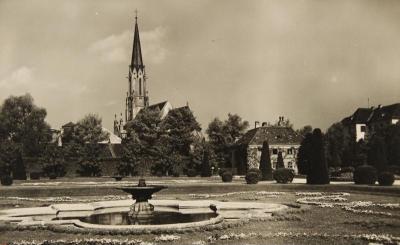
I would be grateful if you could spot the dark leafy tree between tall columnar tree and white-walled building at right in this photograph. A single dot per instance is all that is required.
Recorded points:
(337, 139)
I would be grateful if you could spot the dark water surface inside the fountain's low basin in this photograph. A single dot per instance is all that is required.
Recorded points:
(157, 218)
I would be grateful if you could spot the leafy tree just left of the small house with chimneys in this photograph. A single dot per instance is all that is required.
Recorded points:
(223, 134)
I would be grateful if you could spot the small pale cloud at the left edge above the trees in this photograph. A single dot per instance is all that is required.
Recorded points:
(18, 77)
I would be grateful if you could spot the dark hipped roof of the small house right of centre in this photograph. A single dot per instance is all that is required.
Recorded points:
(272, 134)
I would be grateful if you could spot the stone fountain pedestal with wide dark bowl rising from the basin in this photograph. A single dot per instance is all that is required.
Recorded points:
(141, 211)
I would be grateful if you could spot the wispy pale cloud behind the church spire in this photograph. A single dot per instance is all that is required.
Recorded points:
(118, 48)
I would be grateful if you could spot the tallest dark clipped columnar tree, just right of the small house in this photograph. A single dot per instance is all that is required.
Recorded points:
(318, 169)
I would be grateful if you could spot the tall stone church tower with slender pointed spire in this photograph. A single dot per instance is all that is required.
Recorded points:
(137, 96)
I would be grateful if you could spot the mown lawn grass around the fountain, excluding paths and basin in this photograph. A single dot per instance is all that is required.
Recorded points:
(314, 221)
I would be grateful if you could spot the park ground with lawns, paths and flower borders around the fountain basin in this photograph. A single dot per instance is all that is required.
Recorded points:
(373, 216)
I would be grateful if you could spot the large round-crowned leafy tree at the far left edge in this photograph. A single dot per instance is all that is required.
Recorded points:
(22, 122)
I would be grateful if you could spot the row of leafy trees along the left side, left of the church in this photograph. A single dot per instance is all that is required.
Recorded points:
(24, 133)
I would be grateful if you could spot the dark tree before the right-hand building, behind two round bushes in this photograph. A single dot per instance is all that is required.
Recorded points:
(377, 155)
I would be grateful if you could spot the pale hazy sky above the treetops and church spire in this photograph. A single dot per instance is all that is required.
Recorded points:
(314, 62)
